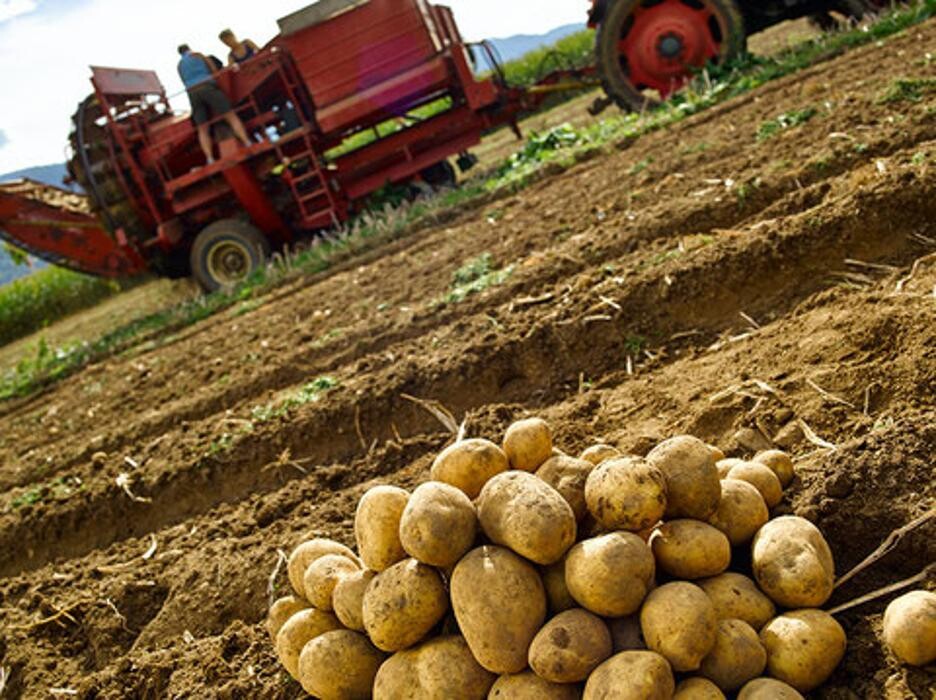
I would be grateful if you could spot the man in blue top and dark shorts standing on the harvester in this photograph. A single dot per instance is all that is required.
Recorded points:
(208, 100)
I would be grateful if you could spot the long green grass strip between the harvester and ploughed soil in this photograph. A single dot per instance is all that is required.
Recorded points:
(563, 149)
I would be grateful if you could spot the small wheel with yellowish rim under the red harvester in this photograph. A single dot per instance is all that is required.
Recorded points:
(226, 253)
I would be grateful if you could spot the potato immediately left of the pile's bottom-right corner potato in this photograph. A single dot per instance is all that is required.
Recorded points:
(737, 657)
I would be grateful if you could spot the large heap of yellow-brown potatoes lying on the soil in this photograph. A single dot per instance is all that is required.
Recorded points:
(522, 572)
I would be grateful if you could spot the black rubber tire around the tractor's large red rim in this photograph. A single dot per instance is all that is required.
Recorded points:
(613, 79)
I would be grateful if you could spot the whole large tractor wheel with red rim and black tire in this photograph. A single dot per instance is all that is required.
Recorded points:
(657, 44)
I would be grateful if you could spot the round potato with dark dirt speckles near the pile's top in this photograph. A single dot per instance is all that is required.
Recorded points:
(626, 494)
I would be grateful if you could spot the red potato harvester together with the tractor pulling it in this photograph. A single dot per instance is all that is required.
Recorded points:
(350, 96)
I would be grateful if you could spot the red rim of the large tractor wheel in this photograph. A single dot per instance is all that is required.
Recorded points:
(663, 41)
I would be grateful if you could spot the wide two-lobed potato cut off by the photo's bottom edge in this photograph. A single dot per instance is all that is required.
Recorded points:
(442, 667)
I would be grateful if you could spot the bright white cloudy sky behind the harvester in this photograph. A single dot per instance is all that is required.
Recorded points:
(46, 47)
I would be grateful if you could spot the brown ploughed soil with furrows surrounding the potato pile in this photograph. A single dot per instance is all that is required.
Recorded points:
(698, 280)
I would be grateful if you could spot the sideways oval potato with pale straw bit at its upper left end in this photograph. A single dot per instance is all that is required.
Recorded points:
(690, 549)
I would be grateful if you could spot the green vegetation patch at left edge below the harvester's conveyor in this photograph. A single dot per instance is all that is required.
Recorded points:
(31, 303)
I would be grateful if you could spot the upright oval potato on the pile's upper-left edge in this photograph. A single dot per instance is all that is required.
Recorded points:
(377, 526)
